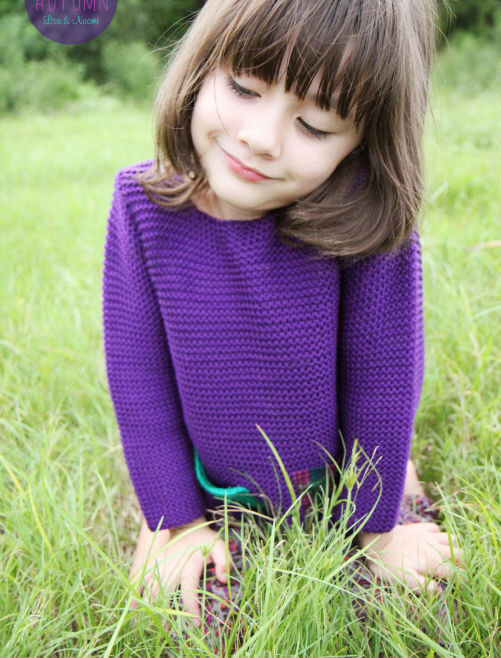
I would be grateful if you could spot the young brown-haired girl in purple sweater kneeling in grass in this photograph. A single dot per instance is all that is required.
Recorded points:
(263, 277)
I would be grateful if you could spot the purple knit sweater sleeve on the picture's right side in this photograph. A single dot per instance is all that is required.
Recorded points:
(381, 363)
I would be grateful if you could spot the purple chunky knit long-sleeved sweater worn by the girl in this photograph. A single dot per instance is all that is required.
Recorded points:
(212, 327)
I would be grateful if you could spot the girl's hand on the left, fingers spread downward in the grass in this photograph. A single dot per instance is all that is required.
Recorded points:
(176, 557)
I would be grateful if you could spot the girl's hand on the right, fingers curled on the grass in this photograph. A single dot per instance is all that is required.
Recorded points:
(412, 553)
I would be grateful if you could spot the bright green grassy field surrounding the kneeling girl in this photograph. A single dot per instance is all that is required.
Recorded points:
(69, 516)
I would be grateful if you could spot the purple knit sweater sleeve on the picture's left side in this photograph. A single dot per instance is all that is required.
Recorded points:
(141, 378)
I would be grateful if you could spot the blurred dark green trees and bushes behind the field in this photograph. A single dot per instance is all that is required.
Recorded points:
(126, 60)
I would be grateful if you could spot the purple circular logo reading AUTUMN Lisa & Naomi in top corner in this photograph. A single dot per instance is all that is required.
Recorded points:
(71, 21)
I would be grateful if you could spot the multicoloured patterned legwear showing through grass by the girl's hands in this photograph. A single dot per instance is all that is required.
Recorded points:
(220, 601)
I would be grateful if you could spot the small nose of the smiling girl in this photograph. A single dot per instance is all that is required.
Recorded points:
(262, 133)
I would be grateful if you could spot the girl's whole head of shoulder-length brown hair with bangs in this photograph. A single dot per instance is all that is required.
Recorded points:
(370, 202)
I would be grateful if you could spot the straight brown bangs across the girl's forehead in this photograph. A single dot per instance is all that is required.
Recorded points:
(297, 36)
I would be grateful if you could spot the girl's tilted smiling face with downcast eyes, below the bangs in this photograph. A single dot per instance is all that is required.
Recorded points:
(241, 124)
